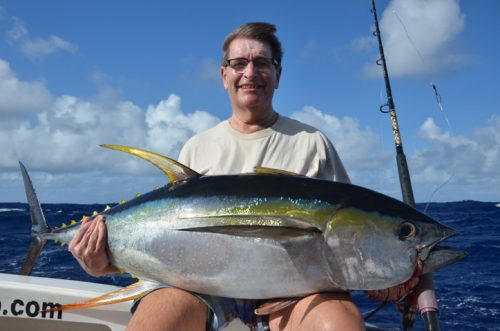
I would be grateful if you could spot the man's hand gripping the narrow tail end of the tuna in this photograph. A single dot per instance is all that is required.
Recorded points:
(89, 247)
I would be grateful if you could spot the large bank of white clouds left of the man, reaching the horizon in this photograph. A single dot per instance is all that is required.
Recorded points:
(58, 139)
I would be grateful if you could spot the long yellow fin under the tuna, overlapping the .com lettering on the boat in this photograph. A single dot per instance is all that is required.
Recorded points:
(131, 292)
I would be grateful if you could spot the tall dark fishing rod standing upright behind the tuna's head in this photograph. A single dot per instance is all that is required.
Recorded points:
(425, 290)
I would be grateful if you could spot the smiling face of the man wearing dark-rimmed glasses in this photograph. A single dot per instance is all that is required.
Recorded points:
(252, 87)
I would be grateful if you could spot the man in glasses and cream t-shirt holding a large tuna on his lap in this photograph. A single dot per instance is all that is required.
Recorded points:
(254, 135)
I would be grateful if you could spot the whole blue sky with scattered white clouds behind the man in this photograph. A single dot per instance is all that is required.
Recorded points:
(77, 74)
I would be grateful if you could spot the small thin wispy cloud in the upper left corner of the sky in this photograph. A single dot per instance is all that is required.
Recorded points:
(37, 49)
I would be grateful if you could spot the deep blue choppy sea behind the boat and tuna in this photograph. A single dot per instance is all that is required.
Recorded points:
(468, 292)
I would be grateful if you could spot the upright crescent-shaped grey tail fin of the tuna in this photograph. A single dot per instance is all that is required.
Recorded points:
(38, 224)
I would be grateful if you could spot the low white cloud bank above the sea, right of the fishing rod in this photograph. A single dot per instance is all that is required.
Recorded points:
(468, 166)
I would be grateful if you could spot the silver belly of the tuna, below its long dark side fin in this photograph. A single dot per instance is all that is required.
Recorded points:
(253, 266)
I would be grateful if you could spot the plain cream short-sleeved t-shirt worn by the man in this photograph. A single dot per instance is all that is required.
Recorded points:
(288, 145)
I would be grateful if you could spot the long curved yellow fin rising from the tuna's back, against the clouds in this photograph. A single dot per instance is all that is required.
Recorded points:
(173, 169)
